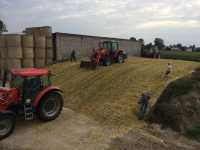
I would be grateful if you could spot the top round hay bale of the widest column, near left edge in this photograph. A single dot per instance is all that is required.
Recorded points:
(13, 40)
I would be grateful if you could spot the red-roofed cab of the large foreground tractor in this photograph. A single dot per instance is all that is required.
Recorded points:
(29, 82)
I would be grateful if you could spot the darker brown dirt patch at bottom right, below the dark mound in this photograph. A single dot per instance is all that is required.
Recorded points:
(153, 138)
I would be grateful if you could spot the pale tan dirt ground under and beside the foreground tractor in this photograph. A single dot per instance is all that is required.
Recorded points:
(71, 131)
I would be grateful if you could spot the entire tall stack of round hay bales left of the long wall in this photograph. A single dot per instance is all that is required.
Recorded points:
(32, 49)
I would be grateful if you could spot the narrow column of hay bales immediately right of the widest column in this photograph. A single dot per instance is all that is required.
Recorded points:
(28, 51)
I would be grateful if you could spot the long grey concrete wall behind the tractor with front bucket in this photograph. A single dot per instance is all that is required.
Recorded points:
(83, 45)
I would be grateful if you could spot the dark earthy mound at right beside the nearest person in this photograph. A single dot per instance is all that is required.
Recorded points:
(178, 107)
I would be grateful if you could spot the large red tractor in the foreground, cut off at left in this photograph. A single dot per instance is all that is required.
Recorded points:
(30, 93)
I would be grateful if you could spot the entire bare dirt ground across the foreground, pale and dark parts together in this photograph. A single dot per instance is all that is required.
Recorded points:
(73, 131)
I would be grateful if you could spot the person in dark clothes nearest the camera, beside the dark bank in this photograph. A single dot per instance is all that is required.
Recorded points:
(144, 103)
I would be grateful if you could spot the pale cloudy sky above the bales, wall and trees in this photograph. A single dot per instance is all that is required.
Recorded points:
(173, 20)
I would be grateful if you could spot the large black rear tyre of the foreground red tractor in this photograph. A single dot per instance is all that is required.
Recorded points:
(50, 106)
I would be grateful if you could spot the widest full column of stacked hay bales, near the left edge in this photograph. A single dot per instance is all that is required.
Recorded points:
(14, 51)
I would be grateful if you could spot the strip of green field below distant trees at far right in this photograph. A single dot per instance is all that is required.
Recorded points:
(190, 56)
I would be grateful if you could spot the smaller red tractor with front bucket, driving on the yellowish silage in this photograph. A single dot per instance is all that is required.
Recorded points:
(107, 53)
